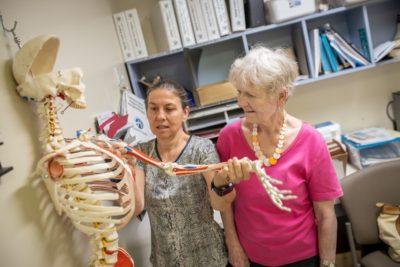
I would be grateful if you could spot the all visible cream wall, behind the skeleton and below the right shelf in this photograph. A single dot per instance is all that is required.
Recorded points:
(31, 233)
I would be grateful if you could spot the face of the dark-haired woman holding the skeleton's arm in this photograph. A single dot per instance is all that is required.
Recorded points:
(165, 113)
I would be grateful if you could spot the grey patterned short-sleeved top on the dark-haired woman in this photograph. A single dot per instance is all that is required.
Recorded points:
(183, 231)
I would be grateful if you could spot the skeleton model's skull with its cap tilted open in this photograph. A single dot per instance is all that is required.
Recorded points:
(33, 71)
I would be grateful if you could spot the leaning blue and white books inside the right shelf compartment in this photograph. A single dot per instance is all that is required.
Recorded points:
(332, 52)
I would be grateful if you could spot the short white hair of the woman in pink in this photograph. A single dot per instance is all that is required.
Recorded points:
(271, 70)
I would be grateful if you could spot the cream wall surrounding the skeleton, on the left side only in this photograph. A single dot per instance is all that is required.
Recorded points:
(31, 233)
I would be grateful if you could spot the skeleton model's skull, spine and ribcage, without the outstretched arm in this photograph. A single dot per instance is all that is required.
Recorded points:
(85, 179)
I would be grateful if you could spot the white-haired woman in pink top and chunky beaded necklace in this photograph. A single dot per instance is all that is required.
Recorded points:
(257, 232)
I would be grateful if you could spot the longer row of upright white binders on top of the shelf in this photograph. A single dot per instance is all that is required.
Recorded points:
(182, 23)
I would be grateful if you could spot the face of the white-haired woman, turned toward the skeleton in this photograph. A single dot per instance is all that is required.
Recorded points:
(257, 105)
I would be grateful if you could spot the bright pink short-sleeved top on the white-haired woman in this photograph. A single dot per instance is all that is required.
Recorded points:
(269, 235)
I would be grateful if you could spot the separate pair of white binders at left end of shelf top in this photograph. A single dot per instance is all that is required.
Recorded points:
(130, 34)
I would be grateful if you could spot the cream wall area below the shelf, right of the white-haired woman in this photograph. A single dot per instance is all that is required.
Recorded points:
(354, 101)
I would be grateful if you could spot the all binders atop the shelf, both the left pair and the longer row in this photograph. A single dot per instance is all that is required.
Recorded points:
(182, 23)
